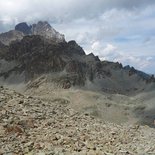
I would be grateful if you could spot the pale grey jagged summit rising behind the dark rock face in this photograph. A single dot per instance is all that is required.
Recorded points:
(41, 28)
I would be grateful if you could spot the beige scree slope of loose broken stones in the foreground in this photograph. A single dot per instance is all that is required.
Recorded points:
(29, 125)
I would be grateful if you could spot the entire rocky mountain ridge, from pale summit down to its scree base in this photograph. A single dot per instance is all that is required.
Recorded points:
(39, 50)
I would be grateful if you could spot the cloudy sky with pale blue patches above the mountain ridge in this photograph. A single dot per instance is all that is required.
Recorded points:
(115, 30)
